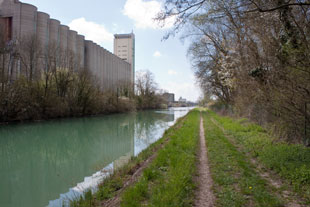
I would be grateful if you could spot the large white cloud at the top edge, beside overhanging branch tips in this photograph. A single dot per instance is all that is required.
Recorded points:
(144, 12)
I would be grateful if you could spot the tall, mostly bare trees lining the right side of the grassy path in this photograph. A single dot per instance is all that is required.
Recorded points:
(252, 56)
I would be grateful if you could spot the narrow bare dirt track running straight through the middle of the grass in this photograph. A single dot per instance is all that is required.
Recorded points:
(204, 196)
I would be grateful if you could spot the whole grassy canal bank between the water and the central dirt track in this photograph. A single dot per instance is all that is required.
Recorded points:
(169, 164)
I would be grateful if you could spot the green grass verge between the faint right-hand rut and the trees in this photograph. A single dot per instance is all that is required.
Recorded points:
(291, 162)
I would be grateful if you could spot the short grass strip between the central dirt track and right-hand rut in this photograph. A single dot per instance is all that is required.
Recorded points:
(235, 181)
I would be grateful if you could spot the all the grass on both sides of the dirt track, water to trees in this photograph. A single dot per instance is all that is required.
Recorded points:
(240, 155)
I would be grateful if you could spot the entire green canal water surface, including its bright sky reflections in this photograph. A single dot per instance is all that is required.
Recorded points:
(47, 163)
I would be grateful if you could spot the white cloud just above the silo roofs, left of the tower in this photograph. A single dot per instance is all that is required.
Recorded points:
(92, 31)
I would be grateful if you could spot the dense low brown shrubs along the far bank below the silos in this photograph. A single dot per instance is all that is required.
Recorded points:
(70, 94)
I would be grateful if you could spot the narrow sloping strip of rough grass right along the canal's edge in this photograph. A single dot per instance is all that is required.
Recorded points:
(111, 185)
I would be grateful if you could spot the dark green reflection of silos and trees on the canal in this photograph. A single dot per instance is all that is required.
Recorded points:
(52, 156)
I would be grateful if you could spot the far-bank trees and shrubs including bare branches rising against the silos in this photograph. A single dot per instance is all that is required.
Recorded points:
(42, 82)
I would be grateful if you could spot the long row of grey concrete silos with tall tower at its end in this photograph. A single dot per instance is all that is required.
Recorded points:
(20, 21)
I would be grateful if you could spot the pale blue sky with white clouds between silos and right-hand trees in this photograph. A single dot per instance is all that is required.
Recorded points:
(98, 20)
